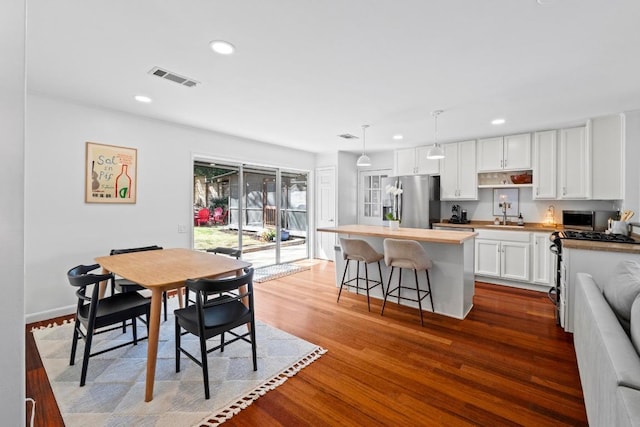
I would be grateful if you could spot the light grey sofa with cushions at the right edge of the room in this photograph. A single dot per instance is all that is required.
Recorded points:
(608, 358)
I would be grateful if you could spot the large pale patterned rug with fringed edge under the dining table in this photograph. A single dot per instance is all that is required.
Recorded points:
(114, 392)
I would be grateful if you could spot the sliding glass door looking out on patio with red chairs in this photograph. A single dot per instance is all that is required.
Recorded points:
(261, 211)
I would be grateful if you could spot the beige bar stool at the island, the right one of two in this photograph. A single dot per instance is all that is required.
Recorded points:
(407, 254)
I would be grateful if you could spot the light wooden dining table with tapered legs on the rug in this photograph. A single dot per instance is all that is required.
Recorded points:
(164, 270)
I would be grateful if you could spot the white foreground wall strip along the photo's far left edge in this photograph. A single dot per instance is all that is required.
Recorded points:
(12, 84)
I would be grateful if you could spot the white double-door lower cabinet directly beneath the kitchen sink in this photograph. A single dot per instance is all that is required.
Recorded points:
(503, 254)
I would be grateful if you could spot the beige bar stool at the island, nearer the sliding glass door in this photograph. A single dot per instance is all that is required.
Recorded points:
(360, 251)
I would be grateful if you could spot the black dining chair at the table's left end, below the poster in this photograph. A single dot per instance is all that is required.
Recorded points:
(94, 313)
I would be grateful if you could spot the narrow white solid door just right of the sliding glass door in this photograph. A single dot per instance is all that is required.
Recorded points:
(326, 211)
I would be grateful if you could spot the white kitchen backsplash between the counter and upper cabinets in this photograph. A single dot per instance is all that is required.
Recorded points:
(532, 210)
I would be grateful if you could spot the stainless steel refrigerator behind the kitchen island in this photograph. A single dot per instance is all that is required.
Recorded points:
(419, 204)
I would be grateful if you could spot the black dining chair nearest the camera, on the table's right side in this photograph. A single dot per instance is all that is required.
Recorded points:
(211, 317)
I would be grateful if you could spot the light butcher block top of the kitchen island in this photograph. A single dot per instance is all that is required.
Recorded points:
(419, 234)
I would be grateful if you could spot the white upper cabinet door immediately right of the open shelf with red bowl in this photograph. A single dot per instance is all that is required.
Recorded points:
(544, 164)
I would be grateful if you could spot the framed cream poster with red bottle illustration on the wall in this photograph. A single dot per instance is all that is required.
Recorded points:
(110, 174)
